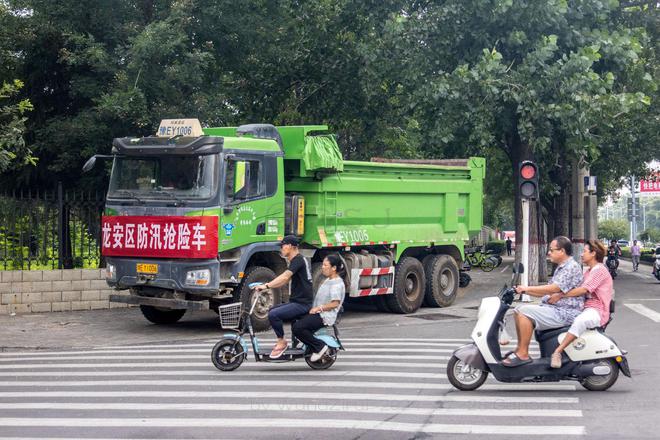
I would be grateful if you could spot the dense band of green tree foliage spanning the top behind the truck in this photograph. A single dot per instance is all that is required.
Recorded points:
(564, 82)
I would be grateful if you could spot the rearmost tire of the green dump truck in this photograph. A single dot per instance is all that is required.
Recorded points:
(441, 280)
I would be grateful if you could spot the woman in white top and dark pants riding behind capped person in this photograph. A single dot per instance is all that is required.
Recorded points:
(327, 303)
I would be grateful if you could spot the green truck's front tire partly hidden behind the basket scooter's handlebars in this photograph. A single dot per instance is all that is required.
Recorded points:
(258, 274)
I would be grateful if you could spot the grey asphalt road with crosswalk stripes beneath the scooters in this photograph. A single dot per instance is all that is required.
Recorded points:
(109, 374)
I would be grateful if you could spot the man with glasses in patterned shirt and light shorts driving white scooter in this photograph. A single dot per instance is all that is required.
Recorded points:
(567, 276)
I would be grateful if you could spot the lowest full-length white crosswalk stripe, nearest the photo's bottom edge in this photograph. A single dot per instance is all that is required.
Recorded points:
(251, 423)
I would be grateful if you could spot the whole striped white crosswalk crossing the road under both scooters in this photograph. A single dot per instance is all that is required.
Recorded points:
(381, 385)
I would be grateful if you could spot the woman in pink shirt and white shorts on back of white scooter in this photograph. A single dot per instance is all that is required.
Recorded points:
(597, 285)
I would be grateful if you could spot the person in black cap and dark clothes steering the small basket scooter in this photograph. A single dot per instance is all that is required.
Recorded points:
(301, 298)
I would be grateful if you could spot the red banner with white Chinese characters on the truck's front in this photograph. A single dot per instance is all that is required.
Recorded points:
(164, 237)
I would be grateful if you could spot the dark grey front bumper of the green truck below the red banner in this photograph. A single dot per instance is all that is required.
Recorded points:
(170, 274)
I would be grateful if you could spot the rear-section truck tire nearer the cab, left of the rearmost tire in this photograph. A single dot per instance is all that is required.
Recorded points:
(409, 286)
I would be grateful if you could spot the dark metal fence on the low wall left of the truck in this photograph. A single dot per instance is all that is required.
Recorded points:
(50, 230)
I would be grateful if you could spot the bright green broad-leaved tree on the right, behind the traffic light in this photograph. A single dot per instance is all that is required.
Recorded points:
(551, 81)
